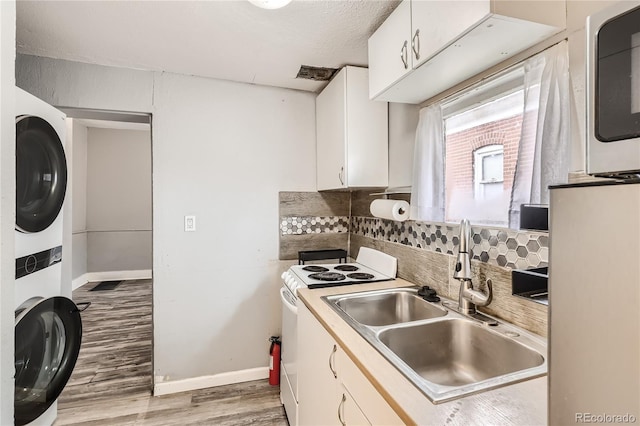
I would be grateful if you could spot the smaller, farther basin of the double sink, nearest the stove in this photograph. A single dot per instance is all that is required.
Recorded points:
(388, 307)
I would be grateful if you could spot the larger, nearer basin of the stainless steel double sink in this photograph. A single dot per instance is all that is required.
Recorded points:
(458, 352)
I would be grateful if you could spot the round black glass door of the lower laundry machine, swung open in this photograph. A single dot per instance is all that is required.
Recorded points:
(47, 336)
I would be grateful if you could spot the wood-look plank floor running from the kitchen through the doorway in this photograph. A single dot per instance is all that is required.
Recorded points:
(111, 383)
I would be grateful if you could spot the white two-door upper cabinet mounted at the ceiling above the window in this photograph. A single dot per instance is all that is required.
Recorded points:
(451, 41)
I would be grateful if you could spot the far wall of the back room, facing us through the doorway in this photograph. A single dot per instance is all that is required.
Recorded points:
(118, 200)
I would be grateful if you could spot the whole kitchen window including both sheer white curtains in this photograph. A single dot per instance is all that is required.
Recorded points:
(484, 152)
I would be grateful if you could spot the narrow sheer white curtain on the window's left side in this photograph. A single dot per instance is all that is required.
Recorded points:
(427, 191)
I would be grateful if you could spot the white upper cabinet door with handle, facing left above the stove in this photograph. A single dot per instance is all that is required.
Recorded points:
(331, 134)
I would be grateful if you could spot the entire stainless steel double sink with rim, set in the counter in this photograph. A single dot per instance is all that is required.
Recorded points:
(443, 353)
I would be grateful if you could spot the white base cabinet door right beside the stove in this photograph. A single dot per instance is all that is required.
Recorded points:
(318, 395)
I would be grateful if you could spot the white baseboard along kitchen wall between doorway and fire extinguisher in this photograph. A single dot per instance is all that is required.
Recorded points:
(202, 382)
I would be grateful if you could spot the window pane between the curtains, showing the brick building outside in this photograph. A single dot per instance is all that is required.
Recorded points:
(482, 140)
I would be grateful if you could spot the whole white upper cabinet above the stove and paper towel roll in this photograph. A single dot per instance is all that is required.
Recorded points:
(352, 134)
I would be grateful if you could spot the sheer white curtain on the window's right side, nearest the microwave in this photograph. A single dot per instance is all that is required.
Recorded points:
(546, 124)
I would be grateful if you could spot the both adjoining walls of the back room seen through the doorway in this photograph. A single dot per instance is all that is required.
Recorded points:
(110, 173)
